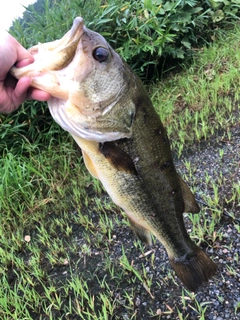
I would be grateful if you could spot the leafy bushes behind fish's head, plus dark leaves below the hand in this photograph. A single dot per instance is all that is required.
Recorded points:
(143, 32)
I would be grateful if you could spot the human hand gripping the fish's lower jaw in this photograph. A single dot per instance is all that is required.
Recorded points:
(13, 92)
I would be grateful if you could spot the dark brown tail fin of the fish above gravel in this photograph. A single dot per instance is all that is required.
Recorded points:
(194, 270)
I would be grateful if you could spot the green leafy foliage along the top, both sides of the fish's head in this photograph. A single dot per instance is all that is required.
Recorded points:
(142, 32)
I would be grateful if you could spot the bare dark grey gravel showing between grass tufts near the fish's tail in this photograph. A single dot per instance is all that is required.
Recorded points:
(221, 295)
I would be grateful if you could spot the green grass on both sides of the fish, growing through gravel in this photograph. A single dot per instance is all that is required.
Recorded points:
(66, 252)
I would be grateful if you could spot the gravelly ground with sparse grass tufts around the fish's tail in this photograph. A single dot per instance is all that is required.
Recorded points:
(138, 280)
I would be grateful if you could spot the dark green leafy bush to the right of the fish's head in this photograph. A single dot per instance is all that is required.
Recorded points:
(144, 32)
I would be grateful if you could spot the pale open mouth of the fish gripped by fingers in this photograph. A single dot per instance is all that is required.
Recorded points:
(50, 59)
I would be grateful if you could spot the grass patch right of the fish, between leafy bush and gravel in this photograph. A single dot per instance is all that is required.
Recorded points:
(195, 103)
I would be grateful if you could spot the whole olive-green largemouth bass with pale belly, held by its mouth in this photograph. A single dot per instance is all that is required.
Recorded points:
(103, 104)
